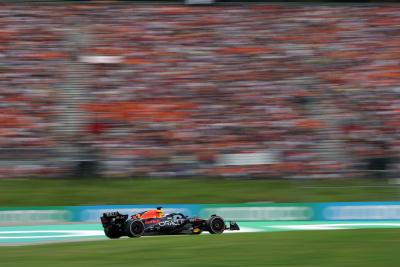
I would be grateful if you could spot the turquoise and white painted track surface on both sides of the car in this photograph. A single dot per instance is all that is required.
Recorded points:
(38, 234)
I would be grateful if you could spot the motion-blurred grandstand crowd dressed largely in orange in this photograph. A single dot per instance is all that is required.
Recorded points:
(232, 90)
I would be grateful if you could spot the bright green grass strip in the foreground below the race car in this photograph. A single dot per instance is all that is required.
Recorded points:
(364, 248)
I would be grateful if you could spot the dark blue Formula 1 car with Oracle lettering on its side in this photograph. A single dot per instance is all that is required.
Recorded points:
(116, 225)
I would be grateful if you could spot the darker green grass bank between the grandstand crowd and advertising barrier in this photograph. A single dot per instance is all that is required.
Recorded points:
(165, 191)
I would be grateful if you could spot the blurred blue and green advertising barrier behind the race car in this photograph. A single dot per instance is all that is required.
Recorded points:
(335, 211)
